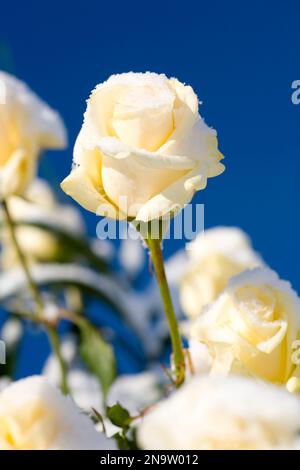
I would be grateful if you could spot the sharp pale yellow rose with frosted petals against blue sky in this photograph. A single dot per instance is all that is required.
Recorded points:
(143, 149)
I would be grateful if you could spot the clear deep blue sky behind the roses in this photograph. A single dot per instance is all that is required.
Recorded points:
(240, 57)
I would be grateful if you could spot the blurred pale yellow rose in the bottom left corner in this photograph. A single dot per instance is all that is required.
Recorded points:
(36, 416)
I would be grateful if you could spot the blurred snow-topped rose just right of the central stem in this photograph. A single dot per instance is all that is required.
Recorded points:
(213, 258)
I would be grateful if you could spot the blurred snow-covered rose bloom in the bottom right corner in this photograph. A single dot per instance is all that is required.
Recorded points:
(232, 413)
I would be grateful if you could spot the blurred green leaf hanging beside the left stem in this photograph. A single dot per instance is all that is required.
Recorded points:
(97, 355)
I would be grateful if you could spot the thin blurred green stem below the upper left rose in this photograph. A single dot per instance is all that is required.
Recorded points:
(36, 295)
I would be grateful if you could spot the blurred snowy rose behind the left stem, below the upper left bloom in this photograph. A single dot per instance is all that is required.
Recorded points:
(38, 205)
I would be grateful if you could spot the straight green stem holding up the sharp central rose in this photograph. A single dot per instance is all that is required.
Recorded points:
(178, 352)
